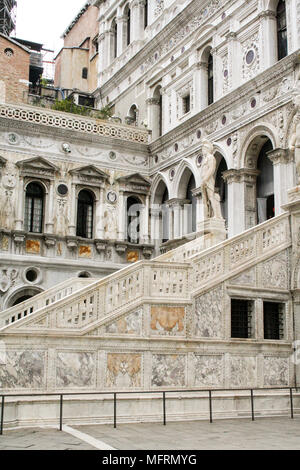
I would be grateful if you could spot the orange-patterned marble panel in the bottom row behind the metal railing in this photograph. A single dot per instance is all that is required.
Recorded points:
(123, 370)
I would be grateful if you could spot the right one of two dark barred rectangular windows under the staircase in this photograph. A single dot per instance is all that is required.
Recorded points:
(273, 320)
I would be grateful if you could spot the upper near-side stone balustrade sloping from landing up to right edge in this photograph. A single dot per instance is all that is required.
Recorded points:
(227, 258)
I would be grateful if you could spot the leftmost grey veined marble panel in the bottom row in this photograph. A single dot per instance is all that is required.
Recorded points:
(23, 369)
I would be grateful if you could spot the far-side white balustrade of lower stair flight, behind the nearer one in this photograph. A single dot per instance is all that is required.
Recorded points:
(58, 292)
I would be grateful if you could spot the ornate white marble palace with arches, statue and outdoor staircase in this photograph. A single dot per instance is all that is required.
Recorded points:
(194, 175)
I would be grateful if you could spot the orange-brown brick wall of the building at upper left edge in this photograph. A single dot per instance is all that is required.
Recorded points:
(13, 68)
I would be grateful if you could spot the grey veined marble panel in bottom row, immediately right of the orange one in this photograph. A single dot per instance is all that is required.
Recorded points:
(168, 370)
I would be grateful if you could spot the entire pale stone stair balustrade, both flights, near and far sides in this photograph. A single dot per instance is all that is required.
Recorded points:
(81, 305)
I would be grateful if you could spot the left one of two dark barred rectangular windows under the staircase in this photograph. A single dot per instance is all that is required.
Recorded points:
(241, 318)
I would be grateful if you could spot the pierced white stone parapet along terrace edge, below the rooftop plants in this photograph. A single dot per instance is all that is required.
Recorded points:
(73, 122)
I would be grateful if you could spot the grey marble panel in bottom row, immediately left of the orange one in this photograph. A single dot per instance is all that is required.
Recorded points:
(75, 369)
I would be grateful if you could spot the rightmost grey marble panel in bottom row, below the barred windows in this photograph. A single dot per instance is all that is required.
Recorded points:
(276, 371)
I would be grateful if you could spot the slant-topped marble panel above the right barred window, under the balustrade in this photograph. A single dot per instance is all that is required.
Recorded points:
(275, 272)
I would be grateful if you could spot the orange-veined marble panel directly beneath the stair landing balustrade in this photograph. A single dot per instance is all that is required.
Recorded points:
(167, 320)
